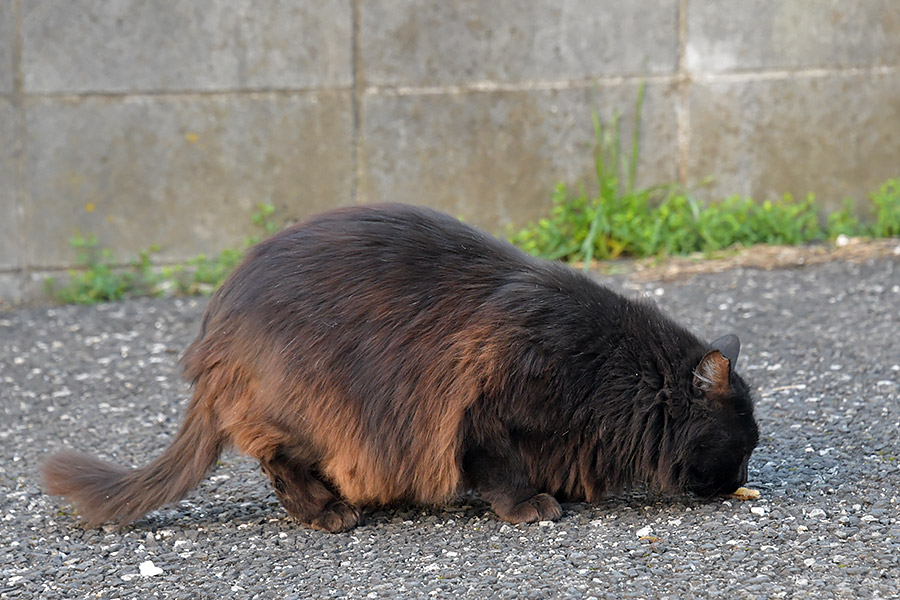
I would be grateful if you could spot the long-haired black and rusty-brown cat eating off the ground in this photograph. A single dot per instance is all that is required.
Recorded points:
(390, 353)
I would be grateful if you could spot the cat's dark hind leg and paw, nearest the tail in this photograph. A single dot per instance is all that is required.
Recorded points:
(306, 497)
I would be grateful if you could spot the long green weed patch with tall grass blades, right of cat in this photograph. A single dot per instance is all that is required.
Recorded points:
(623, 219)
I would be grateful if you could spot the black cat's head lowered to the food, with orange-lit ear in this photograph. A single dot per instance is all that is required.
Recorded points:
(719, 432)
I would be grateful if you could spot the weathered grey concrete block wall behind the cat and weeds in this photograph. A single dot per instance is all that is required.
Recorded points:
(168, 122)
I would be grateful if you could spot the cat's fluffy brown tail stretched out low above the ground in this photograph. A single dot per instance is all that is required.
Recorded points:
(103, 492)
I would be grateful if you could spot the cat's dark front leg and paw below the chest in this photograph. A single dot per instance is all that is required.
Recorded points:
(497, 471)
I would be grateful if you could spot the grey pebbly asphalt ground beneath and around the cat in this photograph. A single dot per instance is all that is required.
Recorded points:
(820, 346)
